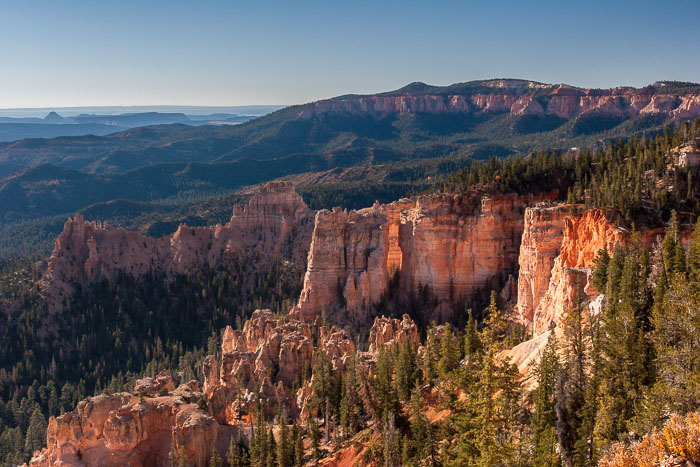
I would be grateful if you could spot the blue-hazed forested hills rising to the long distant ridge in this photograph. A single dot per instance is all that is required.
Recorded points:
(188, 160)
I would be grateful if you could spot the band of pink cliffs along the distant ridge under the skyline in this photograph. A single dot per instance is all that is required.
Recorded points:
(521, 98)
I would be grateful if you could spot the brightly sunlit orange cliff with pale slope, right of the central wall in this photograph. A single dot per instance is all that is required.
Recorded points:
(556, 260)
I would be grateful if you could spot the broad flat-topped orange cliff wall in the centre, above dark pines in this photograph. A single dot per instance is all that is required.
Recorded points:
(453, 244)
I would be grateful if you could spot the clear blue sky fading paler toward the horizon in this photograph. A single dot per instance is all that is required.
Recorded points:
(69, 53)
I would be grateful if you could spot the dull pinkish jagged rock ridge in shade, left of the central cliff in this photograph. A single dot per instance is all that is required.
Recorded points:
(275, 224)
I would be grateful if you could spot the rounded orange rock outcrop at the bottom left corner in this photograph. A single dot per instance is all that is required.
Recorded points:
(123, 429)
